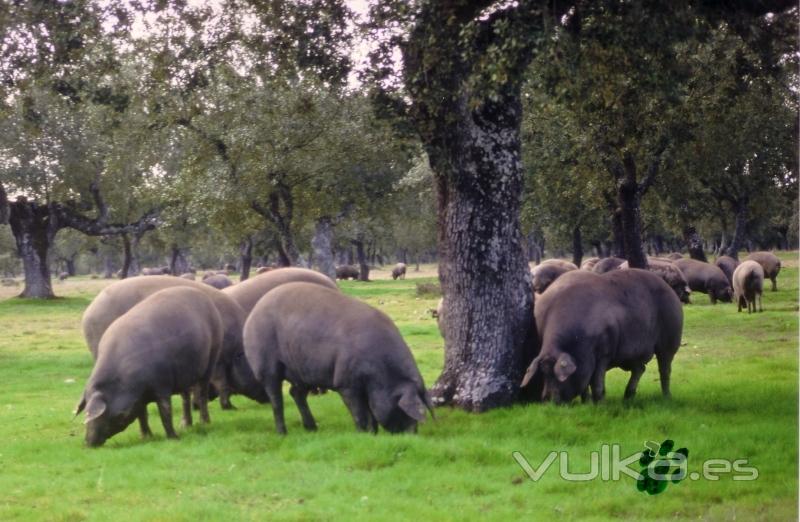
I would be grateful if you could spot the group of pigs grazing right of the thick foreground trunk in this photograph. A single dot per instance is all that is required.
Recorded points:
(605, 315)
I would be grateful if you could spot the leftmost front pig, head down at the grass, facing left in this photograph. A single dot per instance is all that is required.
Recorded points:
(166, 344)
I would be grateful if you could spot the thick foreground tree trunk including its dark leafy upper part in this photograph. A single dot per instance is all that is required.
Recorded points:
(472, 137)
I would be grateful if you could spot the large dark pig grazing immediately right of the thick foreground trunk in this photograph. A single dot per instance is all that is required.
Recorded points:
(589, 323)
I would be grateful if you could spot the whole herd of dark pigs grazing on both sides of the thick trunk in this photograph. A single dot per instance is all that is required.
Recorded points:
(156, 336)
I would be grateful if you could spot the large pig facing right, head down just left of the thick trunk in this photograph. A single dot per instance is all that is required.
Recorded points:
(316, 337)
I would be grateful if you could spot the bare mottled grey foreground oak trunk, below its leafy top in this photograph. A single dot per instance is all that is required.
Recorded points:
(483, 269)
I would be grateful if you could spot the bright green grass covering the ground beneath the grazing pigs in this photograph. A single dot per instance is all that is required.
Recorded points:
(735, 387)
